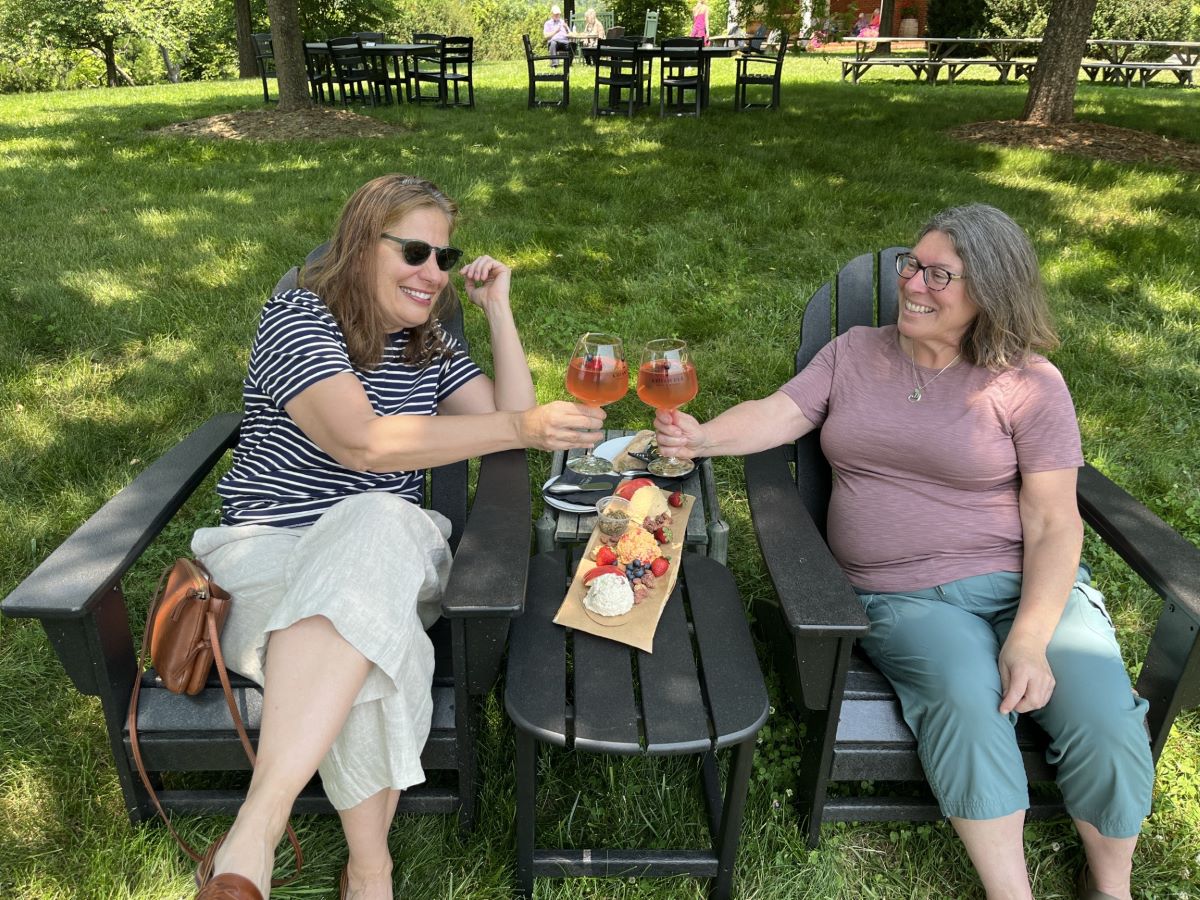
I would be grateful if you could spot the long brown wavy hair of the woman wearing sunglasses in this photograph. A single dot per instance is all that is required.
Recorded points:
(346, 274)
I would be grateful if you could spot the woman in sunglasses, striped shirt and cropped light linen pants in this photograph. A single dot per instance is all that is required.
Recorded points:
(355, 389)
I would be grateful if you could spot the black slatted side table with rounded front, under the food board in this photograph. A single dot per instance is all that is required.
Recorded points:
(700, 692)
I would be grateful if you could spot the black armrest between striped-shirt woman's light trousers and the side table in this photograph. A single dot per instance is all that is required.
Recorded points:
(491, 567)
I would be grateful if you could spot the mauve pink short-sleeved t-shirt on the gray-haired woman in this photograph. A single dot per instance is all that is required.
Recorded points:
(926, 494)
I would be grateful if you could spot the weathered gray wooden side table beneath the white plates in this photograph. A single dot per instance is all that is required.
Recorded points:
(707, 533)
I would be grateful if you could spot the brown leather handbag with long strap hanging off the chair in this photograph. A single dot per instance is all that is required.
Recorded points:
(183, 640)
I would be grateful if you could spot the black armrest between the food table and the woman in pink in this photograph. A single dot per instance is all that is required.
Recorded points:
(814, 593)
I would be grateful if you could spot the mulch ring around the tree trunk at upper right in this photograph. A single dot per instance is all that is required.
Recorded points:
(1089, 140)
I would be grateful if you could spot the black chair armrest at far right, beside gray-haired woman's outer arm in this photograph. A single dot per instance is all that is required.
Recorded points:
(1166, 561)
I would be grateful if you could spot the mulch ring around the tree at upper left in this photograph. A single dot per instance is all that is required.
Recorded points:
(315, 124)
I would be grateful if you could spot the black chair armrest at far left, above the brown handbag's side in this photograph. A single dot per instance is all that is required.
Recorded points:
(95, 557)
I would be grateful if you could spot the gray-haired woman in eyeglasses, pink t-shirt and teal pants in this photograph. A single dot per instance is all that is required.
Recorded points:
(955, 447)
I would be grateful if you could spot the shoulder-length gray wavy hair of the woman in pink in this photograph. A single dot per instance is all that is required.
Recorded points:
(1004, 280)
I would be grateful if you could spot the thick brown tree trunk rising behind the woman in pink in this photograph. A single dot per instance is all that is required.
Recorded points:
(1052, 98)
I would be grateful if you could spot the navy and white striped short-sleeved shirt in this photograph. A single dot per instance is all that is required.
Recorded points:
(279, 476)
